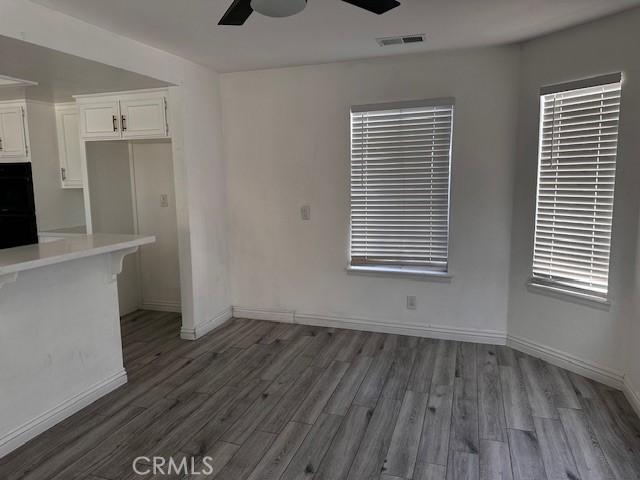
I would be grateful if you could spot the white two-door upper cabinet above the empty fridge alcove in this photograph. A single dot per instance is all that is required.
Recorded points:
(132, 115)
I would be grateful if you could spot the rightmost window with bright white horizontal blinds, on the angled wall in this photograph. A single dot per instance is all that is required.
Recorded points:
(576, 178)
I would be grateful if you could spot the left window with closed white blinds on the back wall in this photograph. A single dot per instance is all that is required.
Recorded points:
(400, 169)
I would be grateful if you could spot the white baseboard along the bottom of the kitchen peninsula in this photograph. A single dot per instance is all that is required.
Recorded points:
(33, 428)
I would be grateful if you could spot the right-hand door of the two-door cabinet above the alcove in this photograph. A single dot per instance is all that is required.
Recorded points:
(143, 117)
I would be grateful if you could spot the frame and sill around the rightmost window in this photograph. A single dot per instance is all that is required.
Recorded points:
(549, 286)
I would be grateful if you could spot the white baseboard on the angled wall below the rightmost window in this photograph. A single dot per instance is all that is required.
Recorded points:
(569, 362)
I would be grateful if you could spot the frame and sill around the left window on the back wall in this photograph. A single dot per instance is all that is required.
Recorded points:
(414, 271)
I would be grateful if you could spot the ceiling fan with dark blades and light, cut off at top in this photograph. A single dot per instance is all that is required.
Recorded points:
(240, 10)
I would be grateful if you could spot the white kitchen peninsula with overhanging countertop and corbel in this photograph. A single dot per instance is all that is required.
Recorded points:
(60, 345)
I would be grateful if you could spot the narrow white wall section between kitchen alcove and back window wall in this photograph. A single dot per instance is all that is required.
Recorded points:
(205, 196)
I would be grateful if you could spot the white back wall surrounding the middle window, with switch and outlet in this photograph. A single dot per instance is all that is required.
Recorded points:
(287, 145)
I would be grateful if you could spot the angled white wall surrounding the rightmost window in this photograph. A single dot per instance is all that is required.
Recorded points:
(593, 335)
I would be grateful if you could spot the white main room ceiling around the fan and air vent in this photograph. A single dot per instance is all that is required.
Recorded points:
(328, 30)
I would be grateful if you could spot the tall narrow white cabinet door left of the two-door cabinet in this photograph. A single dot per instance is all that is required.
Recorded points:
(68, 125)
